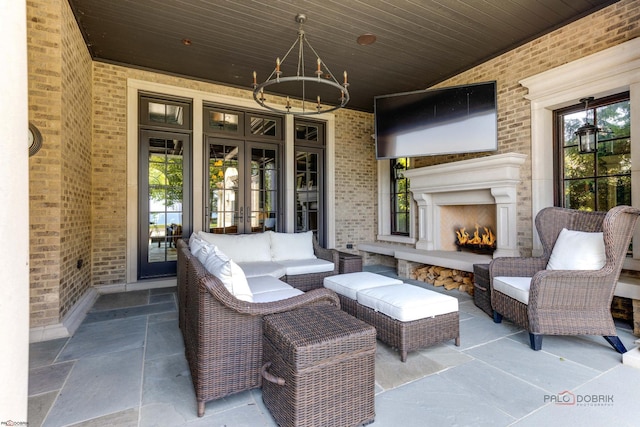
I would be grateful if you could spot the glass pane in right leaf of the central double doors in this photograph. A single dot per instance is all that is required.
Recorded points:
(263, 193)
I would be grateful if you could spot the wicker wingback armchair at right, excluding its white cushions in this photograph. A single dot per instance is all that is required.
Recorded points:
(567, 302)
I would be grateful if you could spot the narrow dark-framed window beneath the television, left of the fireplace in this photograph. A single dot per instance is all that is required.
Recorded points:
(400, 197)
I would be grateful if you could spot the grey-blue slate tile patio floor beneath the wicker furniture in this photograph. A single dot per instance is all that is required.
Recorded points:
(125, 366)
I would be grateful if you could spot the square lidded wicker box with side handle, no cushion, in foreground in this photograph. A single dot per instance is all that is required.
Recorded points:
(319, 368)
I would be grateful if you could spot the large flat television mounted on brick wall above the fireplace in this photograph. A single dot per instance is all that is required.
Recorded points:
(459, 119)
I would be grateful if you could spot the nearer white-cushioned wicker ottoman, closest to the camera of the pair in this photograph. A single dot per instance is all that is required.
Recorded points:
(409, 317)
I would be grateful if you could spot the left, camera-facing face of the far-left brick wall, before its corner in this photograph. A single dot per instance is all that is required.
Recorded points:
(43, 29)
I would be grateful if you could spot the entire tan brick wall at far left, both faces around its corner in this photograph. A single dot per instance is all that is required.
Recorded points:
(59, 177)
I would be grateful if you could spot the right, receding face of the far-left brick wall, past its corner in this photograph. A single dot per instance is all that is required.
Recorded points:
(75, 207)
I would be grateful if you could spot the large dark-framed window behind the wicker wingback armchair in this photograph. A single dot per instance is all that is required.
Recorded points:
(601, 180)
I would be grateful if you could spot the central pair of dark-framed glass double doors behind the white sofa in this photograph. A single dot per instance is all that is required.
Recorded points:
(243, 182)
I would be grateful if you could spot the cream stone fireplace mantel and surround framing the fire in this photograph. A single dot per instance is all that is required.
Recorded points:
(484, 180)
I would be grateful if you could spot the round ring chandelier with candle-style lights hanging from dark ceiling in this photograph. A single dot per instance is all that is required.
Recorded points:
(323, 77)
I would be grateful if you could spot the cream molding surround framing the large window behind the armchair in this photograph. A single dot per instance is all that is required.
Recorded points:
(605, 73)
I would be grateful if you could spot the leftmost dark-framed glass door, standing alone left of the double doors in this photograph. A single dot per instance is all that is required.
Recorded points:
(164, 200)
